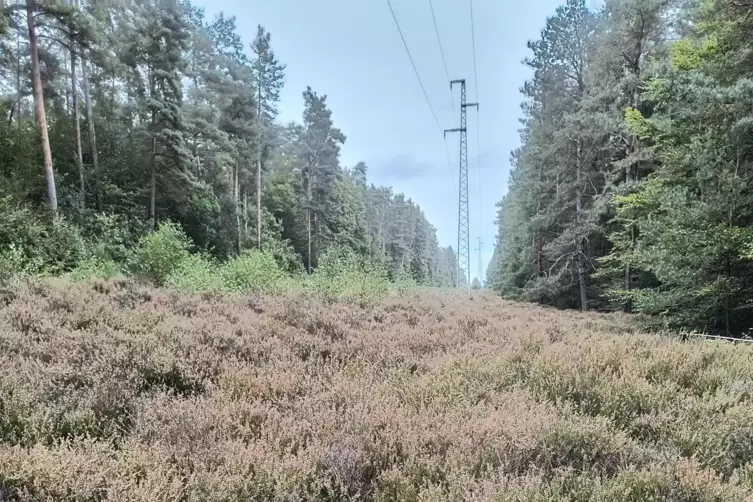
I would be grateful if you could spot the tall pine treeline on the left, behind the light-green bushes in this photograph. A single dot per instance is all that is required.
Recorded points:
(120, 115)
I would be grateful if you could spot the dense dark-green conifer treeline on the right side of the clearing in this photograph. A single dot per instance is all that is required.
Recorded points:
(632, 187)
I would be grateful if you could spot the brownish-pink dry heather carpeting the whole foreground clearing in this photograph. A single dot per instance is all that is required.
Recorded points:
(115, 391)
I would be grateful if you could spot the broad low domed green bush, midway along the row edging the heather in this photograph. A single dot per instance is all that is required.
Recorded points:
(253, 272)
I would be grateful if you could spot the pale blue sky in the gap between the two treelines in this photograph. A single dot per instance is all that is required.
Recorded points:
(351, 51)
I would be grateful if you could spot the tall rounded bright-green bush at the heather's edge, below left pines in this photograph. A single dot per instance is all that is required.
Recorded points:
(159, 254)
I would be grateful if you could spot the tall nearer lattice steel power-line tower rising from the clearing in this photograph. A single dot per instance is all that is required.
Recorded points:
(464, 261)
